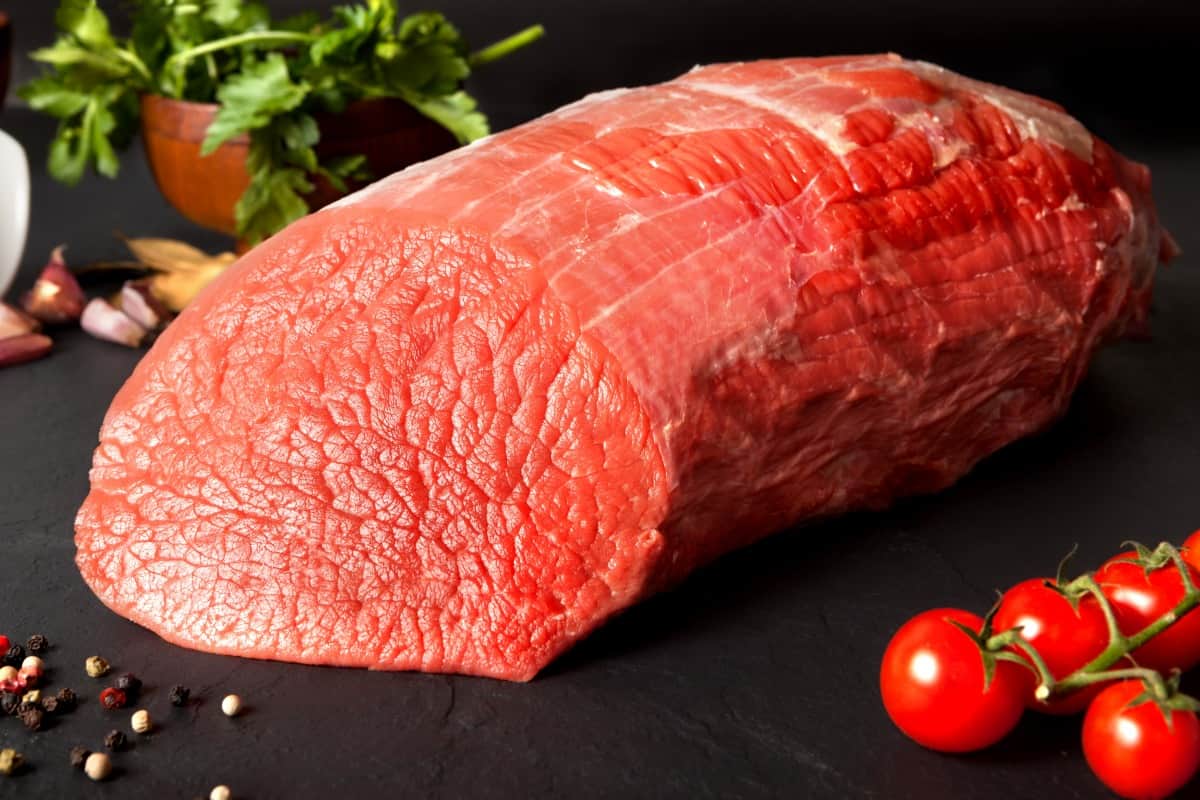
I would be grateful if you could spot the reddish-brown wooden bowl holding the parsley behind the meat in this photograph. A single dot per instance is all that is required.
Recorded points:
(205, 189)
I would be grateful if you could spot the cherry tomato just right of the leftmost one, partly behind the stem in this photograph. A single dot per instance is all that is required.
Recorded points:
(1065, 637)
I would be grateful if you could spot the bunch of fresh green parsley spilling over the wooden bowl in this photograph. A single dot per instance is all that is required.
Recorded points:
(268, 79)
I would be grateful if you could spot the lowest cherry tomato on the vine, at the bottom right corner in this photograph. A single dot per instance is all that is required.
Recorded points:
(1133, 750)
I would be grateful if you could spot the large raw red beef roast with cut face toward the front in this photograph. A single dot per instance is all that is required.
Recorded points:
(458, 420)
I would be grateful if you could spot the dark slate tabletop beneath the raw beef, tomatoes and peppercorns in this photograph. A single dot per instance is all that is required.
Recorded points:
(757, 678)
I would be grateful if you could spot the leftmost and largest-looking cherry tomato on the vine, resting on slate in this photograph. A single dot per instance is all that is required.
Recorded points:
(933, 685)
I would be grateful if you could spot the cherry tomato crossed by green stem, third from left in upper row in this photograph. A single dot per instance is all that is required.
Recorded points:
(1141, 599)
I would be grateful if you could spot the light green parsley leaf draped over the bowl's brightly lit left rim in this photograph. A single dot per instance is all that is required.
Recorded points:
(251, 99)
